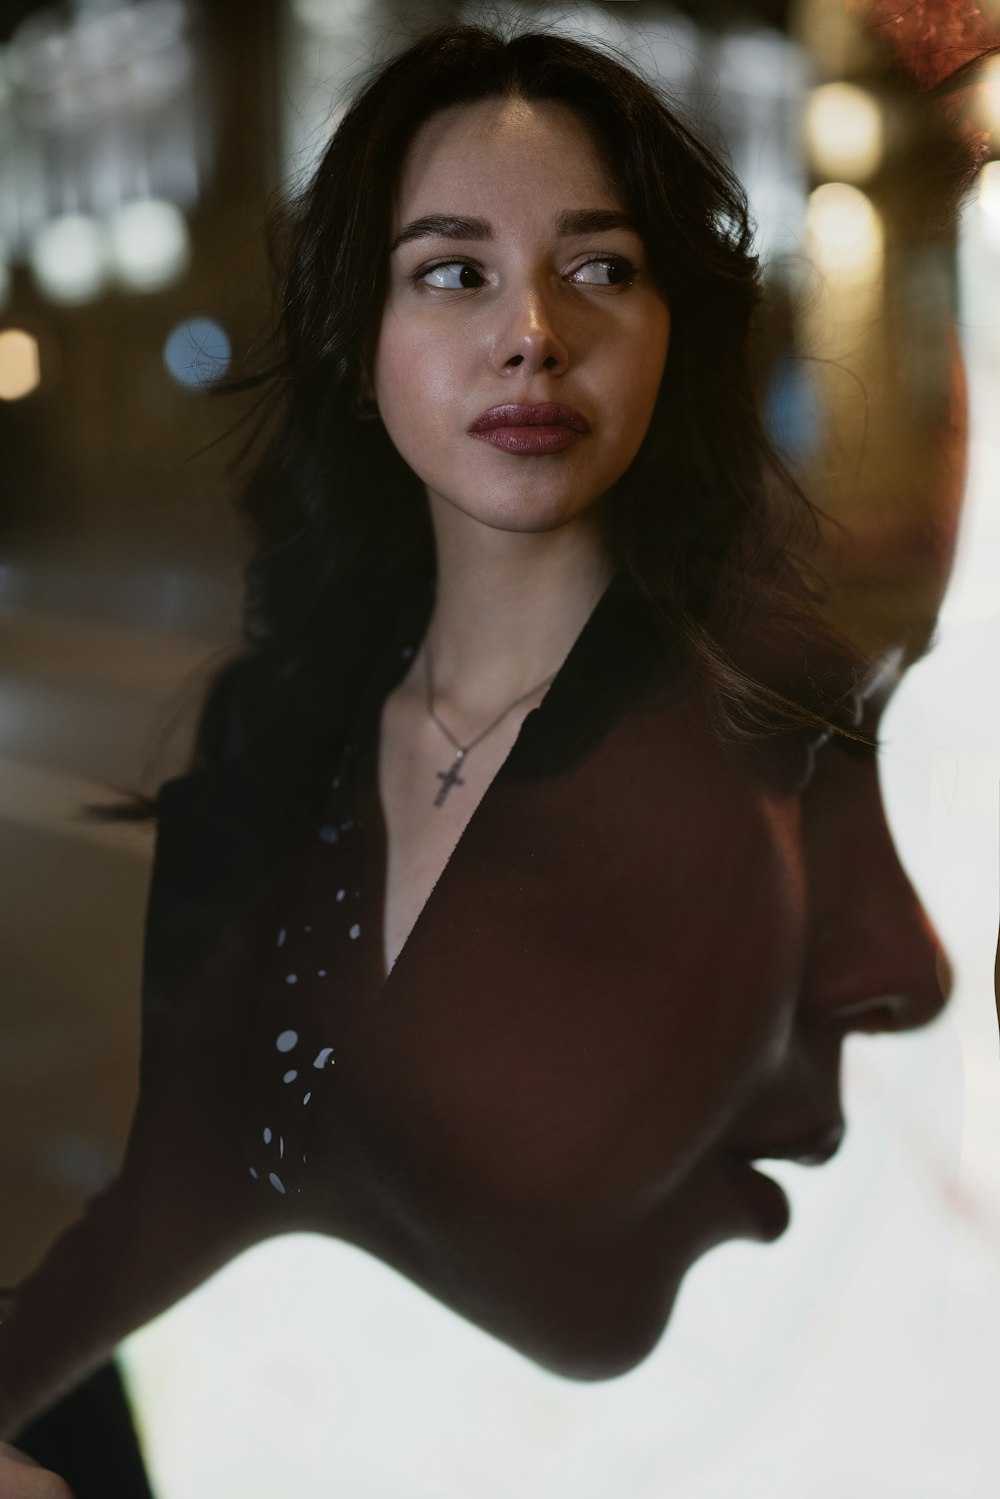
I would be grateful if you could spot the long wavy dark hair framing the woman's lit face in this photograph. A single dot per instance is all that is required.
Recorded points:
(705, 521)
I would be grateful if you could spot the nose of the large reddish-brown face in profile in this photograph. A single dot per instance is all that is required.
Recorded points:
(875, 962)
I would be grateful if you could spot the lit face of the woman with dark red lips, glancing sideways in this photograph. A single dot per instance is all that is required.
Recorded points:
(516, 281)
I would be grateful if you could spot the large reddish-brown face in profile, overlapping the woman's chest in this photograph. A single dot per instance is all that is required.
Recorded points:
(548, 1141)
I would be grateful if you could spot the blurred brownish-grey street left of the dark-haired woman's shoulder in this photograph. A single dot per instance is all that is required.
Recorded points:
(86, 699)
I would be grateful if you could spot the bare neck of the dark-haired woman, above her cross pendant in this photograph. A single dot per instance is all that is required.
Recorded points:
(509, 606)
